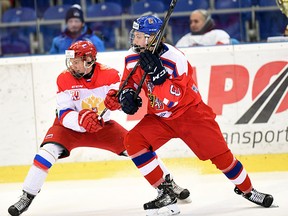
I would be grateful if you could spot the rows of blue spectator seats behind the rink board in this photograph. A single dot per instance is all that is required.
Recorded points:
(30, 26)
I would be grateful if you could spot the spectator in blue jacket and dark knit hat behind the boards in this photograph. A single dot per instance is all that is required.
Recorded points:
(76, 30)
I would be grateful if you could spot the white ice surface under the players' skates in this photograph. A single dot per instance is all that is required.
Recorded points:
(211, 195)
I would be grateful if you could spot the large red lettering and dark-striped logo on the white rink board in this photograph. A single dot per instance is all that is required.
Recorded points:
(270, 83)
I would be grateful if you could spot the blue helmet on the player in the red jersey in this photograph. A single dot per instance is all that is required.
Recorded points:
(147, 24)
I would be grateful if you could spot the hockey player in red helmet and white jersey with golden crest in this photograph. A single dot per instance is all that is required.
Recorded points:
(82, 89)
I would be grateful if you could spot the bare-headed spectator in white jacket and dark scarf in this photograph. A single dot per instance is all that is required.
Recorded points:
(203, 31)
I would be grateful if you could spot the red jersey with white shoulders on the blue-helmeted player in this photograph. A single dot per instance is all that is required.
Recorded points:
(176, 94)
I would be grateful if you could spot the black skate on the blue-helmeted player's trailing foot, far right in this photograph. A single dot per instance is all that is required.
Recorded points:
(256, 197)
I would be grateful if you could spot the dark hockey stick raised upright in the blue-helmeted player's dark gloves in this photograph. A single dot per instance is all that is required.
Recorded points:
(159, 36)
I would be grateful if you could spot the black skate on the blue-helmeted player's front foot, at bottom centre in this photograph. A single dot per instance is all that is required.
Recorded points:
(166, 198)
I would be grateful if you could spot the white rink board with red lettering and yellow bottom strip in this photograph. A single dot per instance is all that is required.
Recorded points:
(231, 84)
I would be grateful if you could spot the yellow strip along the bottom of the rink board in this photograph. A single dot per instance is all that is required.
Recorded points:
(125, 168)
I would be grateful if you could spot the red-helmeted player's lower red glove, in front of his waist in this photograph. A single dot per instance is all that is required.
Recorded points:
(89, 121)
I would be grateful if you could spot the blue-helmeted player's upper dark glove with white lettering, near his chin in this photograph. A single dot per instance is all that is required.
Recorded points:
(152, 65)
